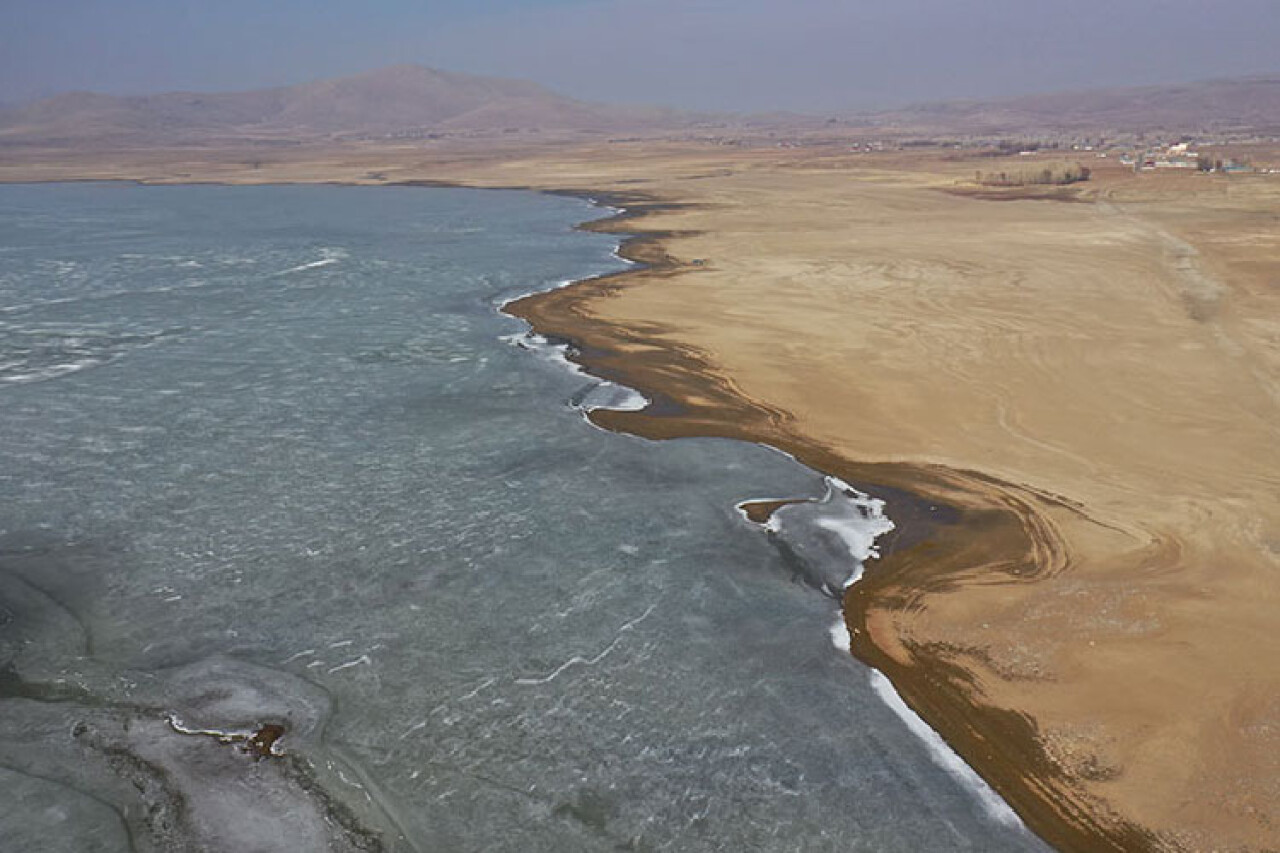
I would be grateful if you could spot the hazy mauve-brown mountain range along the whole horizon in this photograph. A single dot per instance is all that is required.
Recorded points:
(413, 101)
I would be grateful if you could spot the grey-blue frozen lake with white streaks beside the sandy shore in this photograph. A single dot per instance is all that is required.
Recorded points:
(272, 455)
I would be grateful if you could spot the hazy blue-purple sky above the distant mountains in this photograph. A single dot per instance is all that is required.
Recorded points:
(715, 54)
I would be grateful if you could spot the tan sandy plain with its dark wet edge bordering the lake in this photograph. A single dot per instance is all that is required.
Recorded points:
(1073, 410)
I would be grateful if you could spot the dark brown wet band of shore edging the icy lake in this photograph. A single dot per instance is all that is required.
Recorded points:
(950, 526)
